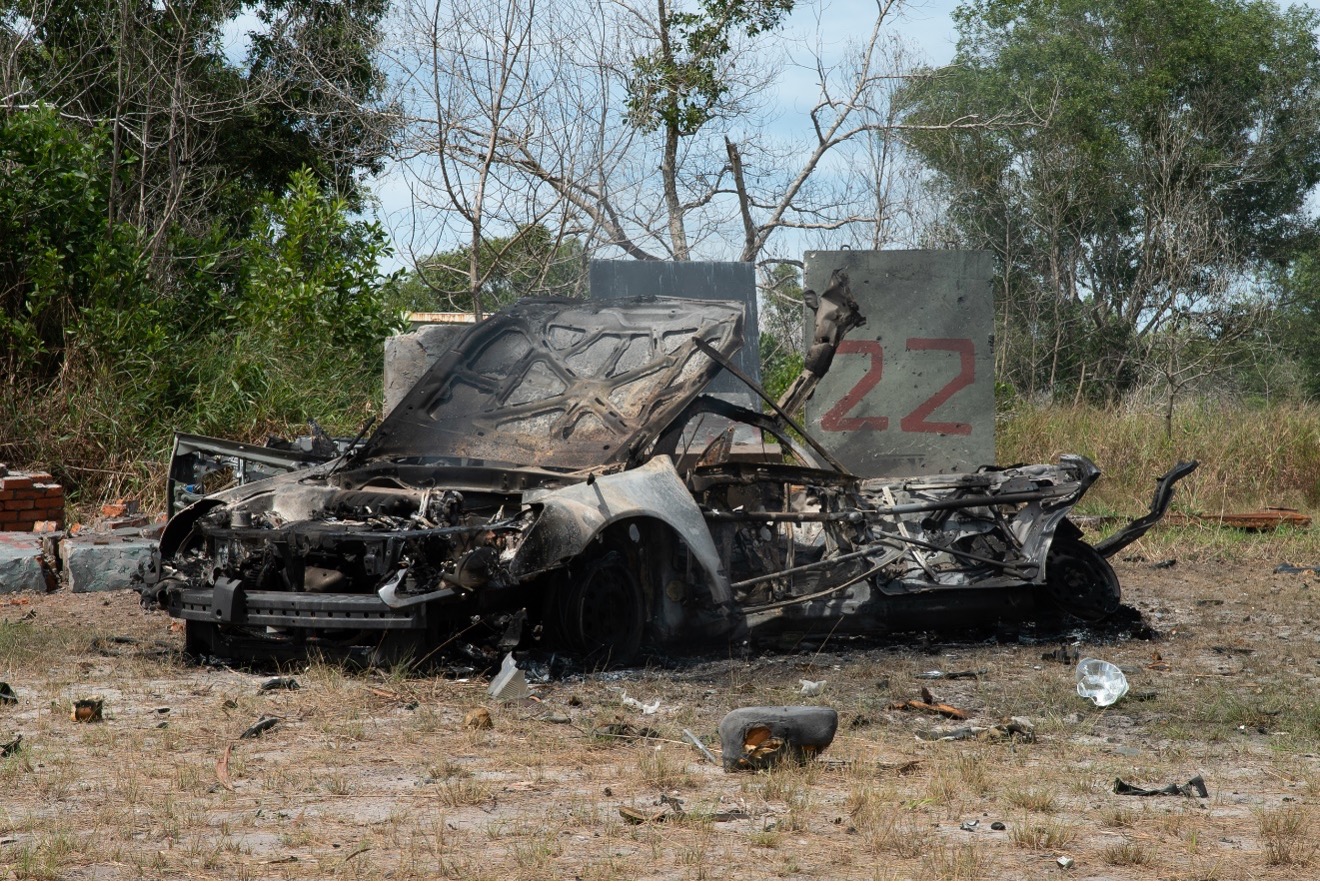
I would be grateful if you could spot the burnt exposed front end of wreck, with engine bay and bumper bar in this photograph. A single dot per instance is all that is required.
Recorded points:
(366, 559)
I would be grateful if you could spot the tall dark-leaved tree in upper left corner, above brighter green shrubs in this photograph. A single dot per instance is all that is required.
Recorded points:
(197, 137)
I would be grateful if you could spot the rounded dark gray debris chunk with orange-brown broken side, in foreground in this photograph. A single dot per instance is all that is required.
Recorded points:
(760, 737)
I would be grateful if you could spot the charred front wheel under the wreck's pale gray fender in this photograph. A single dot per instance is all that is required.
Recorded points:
(603, 613)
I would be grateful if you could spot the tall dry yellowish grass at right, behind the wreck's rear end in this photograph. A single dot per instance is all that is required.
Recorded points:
(1251, 458)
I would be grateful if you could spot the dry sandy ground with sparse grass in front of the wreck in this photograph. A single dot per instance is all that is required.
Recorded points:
(376, 776)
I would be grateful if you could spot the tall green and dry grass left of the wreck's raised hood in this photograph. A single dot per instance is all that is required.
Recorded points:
(106, 432)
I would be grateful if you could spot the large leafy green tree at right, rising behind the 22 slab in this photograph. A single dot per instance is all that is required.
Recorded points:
(1160, 151)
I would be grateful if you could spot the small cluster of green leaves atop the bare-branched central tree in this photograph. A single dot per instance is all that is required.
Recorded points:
(679, 85)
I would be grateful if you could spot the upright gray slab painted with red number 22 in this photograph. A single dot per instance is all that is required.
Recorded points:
(913, 392)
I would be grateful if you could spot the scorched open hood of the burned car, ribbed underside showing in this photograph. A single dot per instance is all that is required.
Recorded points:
(562, 384)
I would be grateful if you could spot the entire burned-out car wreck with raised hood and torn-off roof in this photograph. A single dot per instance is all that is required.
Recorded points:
(563, 477)
